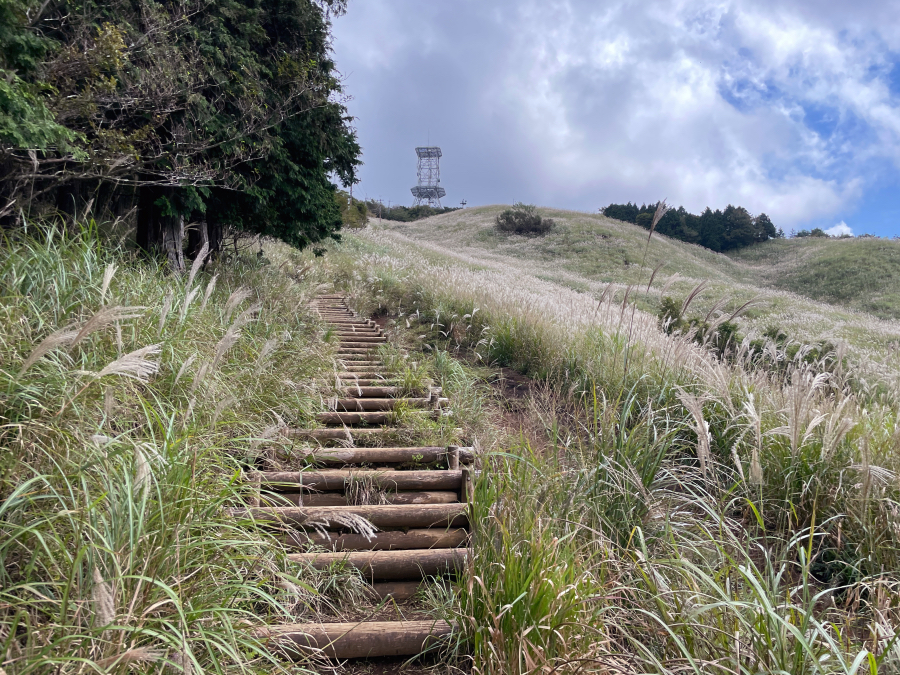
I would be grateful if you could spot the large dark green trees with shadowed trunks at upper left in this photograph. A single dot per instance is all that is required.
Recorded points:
(223, 113)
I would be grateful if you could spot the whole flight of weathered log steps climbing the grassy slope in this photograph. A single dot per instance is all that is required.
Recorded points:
(421, 514)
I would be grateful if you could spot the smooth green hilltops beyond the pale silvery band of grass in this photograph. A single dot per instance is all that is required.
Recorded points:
(861, 274)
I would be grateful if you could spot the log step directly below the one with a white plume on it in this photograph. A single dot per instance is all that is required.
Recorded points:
(381, 541)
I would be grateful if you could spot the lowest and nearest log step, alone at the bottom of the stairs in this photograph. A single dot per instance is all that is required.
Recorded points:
(357, 640)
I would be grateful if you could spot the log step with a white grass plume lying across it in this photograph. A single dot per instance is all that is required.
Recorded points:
(381, 516)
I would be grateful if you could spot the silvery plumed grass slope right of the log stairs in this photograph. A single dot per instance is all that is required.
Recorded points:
(651, 507)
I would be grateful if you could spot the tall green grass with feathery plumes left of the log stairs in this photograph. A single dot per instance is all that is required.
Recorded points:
(129, 410)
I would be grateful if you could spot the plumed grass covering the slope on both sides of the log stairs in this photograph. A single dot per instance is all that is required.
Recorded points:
(644, 506)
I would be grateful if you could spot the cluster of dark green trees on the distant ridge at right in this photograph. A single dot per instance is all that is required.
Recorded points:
(718, 230)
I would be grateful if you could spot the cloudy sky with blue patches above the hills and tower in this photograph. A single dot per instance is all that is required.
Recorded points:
(786, 108)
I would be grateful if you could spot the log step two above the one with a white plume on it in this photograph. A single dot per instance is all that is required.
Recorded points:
(331, 480)
